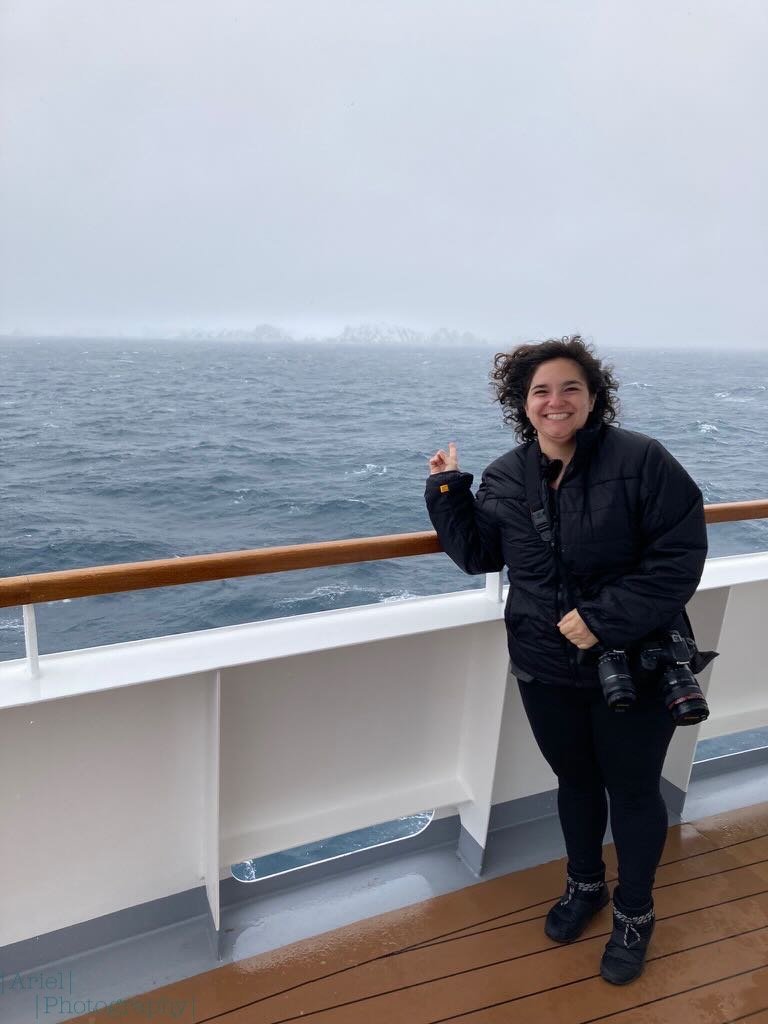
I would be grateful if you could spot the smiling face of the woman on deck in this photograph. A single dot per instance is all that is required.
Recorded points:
(559, 404)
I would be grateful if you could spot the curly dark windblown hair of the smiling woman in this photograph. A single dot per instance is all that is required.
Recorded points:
(514, 372)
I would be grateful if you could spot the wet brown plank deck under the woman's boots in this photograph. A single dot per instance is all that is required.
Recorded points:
(481, 956)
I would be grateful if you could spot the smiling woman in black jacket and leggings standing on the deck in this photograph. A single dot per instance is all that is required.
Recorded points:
(620, 553)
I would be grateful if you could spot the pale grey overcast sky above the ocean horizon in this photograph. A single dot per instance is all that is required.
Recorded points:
(516, 169)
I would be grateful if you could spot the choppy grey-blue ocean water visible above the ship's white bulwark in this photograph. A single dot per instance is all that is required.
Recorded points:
(116, 452)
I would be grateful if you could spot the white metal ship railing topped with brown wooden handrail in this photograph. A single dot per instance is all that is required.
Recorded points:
(135, 772)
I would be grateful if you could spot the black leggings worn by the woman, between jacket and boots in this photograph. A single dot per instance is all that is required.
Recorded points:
(592, 749)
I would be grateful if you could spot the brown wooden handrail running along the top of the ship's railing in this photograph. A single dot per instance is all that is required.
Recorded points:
(230, 565)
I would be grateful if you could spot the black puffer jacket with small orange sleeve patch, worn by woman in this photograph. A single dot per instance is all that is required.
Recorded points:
(630, 529)
